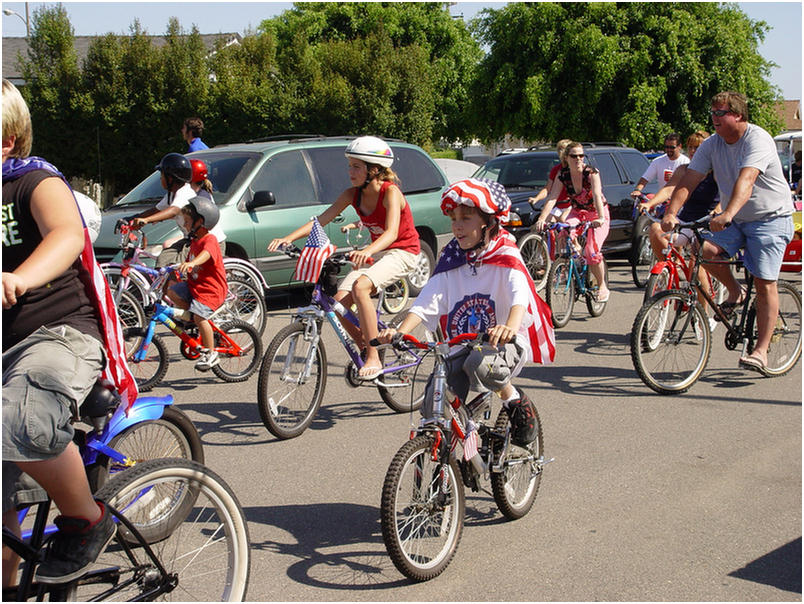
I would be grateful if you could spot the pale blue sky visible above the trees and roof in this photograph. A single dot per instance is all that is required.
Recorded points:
(782, 44)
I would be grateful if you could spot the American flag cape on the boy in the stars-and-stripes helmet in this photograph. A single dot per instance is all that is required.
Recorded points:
(502, 251)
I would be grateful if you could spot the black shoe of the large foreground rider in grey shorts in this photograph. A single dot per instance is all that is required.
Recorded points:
(73, 549)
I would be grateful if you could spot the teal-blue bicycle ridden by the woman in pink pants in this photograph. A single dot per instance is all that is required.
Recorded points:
(570, 278)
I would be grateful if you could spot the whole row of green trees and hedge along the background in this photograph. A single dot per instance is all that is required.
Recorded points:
(590, 71)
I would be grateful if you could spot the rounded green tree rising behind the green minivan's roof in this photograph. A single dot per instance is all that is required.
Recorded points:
(430, 55)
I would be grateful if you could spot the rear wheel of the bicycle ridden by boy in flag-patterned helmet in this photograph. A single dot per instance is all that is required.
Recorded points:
(516, 487)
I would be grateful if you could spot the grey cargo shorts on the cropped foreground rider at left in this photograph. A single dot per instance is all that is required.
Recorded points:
(45, 377)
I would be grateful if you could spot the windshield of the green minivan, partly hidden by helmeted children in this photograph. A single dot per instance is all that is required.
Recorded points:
(226, 171)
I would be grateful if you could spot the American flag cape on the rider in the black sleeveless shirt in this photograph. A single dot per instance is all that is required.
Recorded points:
(116, 370)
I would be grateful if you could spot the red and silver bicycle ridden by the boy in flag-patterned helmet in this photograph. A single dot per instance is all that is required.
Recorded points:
(422, 506)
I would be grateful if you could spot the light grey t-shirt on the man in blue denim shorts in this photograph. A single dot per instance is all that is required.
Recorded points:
(770, 195)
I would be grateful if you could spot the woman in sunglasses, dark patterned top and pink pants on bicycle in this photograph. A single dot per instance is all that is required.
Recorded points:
(583, 187)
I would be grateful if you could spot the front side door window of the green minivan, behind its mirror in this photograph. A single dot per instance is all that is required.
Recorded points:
(287, 176)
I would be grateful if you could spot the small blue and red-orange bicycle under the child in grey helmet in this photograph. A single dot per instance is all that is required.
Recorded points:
(237, 343)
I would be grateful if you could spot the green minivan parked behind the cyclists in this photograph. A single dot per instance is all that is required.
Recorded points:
(265, 189)
